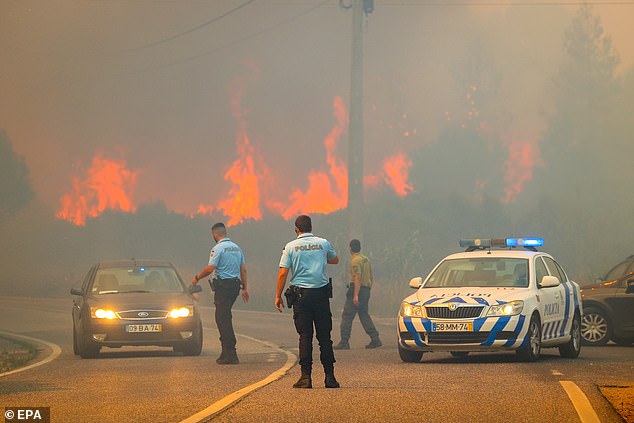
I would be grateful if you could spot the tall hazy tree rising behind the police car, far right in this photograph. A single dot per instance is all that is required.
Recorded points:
(585, 202)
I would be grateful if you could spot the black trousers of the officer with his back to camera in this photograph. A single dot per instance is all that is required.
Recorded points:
(313, 310)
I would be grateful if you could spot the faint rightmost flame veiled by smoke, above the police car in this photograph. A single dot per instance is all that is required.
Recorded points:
(518, 168)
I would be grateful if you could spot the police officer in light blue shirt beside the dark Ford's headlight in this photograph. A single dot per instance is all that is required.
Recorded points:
(226, 262)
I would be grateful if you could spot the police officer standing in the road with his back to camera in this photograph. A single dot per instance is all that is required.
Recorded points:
(306, 258)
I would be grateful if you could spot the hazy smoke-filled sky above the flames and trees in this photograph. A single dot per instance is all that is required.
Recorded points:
(166, 85)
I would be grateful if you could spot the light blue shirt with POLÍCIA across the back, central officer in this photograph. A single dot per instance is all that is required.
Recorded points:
(306, 257)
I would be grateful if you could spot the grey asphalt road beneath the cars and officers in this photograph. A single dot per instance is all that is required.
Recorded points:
(156, 385)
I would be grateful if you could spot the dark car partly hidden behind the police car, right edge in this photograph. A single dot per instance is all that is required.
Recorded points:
(608, 307)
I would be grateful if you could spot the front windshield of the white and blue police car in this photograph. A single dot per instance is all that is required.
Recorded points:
(481, 272)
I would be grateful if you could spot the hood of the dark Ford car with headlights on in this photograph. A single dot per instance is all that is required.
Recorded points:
(141, 300)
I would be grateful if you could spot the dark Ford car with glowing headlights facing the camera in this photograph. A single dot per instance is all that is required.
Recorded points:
(138, 303)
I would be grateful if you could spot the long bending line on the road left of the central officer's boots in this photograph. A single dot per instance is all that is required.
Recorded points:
(230, 399)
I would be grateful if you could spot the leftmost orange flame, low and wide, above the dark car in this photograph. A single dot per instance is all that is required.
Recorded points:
(108, 185)
